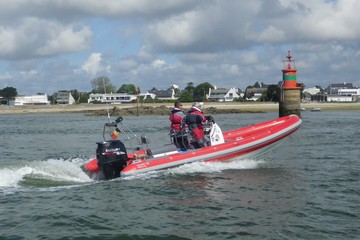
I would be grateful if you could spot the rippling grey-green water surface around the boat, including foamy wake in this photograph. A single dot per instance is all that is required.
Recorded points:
(306, 188)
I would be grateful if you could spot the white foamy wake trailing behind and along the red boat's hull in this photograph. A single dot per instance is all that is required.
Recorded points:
(60, 173)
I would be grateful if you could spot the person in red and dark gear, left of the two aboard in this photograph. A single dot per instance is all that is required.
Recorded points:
(176, 117)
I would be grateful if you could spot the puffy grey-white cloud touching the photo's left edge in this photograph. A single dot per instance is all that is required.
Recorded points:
(35, 37)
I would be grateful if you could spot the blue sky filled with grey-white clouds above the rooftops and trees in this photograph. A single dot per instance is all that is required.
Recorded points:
(51, 45)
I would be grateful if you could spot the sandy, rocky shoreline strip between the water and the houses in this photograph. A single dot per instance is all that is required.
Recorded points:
(150, 108)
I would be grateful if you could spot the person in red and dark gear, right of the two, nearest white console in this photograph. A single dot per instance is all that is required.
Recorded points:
(195, 120)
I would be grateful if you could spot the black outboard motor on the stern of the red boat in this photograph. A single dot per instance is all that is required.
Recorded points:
(111, 156)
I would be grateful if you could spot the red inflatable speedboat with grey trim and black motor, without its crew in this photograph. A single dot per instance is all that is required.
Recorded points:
(113, 159)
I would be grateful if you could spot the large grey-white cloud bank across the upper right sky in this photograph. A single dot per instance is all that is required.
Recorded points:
(235, 25)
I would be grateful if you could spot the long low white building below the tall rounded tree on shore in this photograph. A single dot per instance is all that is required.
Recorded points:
(113, 98)
